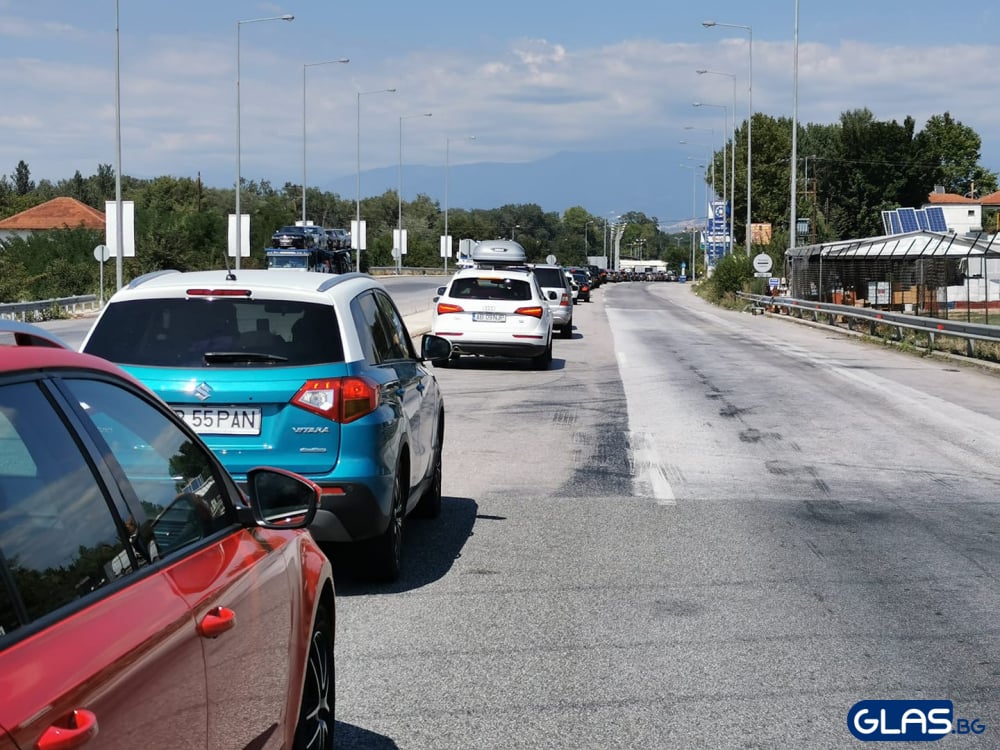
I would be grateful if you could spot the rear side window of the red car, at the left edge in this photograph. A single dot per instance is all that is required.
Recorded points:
(59, 538)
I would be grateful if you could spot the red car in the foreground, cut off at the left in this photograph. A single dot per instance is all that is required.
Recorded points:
(145, 601)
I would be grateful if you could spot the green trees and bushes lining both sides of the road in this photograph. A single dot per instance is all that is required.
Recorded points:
(848, 172)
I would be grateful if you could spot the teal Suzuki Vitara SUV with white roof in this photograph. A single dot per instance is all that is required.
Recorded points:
(309, 372)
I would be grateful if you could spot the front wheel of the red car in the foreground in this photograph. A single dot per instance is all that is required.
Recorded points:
(314, 730)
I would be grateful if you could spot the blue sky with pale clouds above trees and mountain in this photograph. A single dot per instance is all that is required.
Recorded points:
(528, 79)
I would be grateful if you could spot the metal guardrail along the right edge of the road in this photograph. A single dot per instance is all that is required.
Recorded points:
(872, 318)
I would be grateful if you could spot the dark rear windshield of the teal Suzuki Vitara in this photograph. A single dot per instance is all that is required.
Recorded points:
(180, 332)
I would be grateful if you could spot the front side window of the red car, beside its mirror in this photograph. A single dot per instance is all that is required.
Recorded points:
(178, 494)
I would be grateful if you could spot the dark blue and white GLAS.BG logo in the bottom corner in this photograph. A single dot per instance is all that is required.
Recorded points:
(908, 721)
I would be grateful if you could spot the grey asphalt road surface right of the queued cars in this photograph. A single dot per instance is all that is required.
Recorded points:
(699, 529)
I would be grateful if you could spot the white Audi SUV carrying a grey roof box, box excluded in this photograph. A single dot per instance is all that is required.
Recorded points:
(495, 312)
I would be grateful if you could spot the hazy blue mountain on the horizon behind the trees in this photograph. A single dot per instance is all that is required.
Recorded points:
(648, 180)
